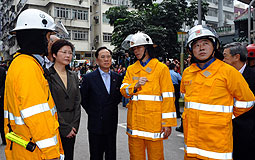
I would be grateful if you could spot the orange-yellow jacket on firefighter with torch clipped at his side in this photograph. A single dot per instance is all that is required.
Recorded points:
(30, 110)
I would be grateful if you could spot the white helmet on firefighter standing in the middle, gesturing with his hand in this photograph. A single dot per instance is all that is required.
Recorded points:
(140, 39)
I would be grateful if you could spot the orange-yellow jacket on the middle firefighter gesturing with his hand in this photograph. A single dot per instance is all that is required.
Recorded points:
(152, 106)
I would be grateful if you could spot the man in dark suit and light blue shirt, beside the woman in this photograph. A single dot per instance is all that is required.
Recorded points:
(101, 95)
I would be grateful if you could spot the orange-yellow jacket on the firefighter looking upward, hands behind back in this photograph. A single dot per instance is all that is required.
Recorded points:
(212, 97)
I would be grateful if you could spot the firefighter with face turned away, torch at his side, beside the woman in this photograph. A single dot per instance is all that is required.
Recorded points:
(30, 111)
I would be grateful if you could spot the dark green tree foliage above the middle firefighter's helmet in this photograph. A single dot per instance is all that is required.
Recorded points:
(160, 21)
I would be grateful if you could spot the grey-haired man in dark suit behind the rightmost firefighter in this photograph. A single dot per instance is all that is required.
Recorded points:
(235, 54)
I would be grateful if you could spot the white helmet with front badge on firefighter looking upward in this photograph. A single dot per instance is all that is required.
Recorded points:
(201, 31)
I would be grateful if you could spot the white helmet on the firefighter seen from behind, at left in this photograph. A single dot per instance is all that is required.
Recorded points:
(34, 19)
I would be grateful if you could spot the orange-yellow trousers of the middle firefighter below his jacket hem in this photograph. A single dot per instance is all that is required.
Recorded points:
(137, 147)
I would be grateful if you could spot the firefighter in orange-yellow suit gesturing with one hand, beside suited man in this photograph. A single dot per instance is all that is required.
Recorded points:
(151, 110)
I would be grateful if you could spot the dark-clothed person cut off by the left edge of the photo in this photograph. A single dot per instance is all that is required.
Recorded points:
(2, 81)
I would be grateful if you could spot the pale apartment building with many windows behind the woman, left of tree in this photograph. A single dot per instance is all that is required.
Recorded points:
(85, 21)
